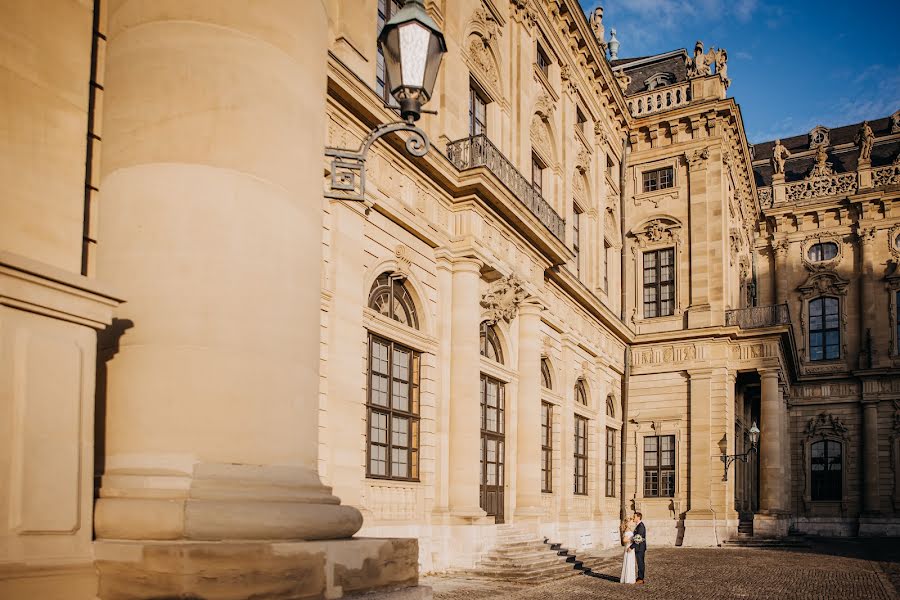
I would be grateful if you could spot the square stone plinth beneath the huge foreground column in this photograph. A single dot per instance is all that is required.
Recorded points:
(135, 570)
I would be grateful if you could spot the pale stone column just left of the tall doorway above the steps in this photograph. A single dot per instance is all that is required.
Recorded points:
(465, 408)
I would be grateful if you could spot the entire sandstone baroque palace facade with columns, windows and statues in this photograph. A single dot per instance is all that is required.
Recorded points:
(572, 307)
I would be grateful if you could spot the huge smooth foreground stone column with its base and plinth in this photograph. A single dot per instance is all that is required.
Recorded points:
(212, 225)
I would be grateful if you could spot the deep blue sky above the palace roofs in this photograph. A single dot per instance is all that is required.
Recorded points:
(793, 65)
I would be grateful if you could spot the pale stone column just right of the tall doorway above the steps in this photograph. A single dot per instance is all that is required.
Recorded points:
(528, 440)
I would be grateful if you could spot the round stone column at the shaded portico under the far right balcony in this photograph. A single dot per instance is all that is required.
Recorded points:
(771, 456)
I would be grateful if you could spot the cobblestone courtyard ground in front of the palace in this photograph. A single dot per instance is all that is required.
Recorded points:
(830, 570)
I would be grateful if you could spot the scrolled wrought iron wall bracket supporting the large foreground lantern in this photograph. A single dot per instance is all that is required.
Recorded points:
(348, 168)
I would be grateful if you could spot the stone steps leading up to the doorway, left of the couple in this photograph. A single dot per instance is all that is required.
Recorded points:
(523, 556)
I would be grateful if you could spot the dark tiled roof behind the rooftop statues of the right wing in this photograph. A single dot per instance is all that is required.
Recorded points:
(842, 159)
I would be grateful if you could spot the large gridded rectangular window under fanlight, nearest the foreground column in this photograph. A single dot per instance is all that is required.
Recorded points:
(393, 411)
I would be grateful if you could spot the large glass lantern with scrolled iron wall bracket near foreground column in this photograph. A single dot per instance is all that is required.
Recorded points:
(413, 46)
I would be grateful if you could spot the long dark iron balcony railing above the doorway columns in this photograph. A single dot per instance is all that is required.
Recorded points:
(479, 151)
